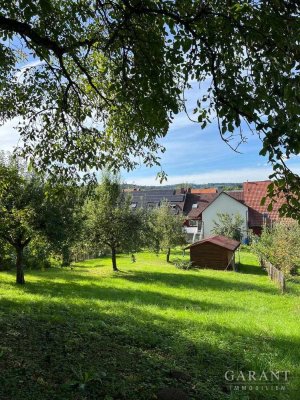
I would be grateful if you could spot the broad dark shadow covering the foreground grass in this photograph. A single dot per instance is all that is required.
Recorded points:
(46, 346)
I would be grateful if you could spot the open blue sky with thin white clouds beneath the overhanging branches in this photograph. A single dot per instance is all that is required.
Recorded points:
(192, 155)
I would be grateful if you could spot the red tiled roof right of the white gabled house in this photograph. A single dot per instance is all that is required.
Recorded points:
(253, 193)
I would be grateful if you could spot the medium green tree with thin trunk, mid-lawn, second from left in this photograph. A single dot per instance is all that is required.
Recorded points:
(111, 221)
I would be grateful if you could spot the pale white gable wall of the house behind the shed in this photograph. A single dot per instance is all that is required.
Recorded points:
(223, 204)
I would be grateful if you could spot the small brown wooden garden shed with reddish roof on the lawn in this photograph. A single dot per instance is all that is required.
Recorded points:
(216, 252)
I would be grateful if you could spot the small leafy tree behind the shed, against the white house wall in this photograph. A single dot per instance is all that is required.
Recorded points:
(229, 226)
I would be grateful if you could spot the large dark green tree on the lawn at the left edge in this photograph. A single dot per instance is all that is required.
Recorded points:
(35, 216)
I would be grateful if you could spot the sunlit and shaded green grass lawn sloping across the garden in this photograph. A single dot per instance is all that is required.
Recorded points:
(89, 333)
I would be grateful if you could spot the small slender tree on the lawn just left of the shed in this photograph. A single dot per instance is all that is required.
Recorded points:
(166, 229)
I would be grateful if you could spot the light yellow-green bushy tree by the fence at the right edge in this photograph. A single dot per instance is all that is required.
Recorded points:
(280, 245)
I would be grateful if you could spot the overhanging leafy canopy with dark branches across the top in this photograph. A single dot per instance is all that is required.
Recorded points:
(113, 74)
